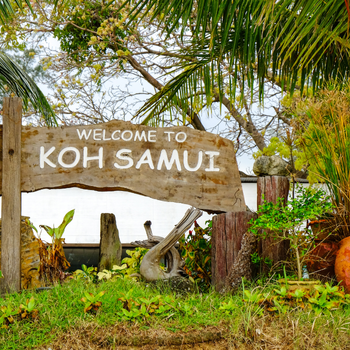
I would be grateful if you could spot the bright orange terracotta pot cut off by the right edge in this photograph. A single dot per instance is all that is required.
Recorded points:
(342, 264)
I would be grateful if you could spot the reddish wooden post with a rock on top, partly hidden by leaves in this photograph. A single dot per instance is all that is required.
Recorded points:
(272, 188)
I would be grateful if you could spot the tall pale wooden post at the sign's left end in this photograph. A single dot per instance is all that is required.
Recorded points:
(11, 195)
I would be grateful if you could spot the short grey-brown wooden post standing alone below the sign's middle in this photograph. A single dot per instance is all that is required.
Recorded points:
(110, 246)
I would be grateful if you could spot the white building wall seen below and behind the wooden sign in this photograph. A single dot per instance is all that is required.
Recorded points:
(49, 206)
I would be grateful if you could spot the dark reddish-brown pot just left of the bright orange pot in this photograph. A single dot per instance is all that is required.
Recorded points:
(322, 259)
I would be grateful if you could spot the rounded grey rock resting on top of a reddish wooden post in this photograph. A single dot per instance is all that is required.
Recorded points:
(271, 166)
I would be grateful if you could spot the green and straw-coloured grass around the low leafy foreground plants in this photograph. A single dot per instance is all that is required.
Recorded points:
(61, 313)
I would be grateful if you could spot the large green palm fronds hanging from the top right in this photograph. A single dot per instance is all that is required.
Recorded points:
(295, 42)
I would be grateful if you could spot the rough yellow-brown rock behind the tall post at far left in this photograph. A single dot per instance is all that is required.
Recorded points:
(30, 259)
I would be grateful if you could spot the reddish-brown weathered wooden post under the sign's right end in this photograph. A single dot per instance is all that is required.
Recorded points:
(228, 230)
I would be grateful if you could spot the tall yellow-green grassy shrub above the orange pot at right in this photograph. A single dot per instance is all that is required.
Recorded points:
(325, 139)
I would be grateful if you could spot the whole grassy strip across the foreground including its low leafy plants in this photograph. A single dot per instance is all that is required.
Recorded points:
(139, 315)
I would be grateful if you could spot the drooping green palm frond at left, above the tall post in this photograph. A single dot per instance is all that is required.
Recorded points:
(20, 83)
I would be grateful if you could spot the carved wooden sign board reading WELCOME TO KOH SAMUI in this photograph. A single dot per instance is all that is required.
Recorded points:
(175, 164)
